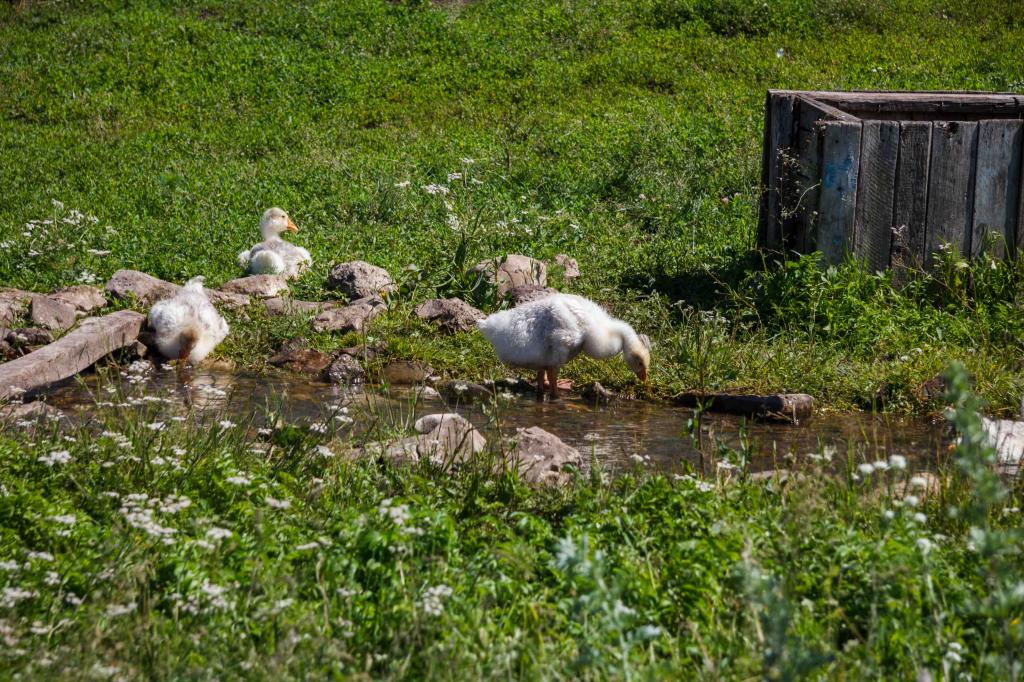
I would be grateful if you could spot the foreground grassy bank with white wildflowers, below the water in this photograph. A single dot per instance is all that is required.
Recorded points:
(147, 547)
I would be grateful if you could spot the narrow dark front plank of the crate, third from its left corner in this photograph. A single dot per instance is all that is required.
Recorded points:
(911, 202)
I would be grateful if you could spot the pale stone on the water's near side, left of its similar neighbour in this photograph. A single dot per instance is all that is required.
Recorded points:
(444, 440)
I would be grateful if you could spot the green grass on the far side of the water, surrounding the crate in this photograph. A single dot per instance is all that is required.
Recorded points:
(612, 132)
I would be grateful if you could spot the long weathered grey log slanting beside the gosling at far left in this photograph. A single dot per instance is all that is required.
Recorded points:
(93, 339)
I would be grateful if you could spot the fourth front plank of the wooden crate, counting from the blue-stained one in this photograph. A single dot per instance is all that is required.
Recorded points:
(951, 187)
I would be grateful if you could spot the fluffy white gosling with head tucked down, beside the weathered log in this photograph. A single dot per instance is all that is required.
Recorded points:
(187, 326)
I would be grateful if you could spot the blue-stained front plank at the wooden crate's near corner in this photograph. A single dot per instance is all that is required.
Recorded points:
(838, 199)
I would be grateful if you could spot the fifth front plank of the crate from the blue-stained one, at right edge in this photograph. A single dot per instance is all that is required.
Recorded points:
(997, 186)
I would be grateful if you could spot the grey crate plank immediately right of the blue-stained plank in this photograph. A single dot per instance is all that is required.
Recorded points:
(876, 185)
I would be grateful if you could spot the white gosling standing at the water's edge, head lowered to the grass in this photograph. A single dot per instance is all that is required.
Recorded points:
(545, 335)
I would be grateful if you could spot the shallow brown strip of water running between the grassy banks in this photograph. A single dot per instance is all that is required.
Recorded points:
(621, 435)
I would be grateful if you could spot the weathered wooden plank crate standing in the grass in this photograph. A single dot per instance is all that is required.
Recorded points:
(892, 177)
